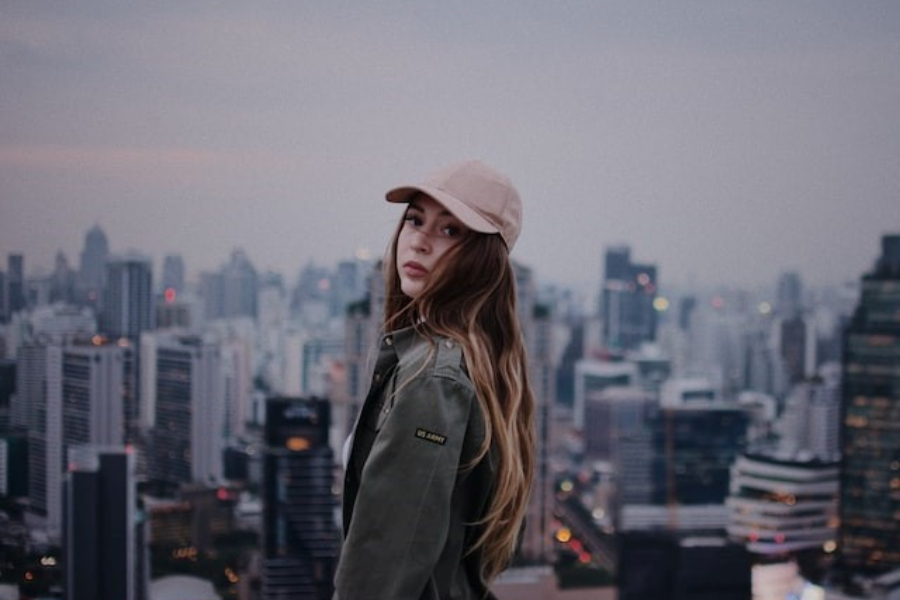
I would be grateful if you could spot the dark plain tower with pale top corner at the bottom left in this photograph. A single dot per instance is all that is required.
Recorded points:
(100, 549)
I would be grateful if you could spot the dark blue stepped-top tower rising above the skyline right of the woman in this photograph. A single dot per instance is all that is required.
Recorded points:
(629, 289)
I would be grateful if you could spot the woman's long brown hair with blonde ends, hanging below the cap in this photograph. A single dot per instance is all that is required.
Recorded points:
(471, 298)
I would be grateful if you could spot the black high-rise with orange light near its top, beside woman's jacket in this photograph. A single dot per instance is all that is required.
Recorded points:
(301, 539)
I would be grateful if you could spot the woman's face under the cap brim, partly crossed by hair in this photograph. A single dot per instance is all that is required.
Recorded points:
(428, 231)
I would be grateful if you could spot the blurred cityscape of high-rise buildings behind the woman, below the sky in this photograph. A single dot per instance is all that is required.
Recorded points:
(168, 436)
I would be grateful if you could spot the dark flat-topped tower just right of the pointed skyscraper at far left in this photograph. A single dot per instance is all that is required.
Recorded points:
(128, 307)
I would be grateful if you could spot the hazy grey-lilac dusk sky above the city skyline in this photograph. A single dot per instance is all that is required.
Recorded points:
(725, 142)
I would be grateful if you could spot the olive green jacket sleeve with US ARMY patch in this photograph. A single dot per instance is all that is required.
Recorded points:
(401, 516)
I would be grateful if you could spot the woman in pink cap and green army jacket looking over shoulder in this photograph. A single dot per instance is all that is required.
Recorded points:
(442, 455)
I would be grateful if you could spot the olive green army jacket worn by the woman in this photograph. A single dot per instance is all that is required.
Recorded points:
(412, 495)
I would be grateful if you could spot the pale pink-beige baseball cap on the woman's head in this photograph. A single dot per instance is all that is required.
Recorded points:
(483, 199)
